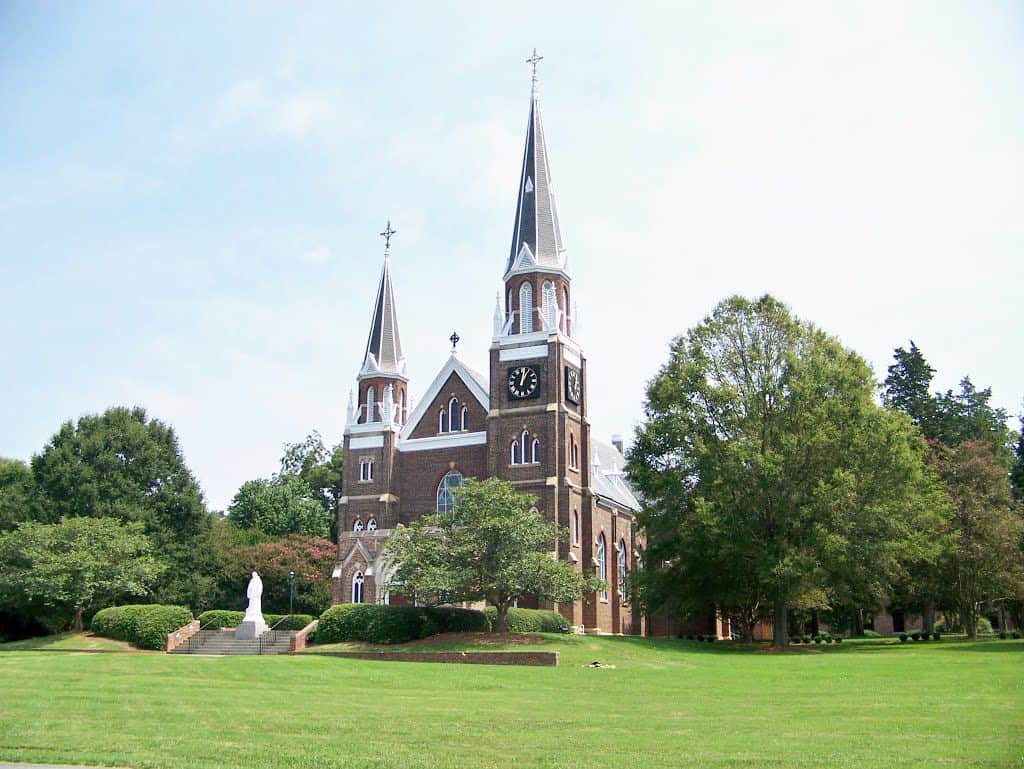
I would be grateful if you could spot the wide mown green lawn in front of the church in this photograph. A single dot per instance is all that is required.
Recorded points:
(667, 704)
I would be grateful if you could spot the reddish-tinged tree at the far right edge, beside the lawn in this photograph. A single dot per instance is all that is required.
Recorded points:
(985, 562)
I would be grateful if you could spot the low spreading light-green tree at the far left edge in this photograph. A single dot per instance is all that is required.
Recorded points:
(78, 565)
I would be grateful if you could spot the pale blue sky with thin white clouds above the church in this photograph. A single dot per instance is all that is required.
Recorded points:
(191, 196)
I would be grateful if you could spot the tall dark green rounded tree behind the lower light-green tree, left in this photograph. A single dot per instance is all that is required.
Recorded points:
(125, 465)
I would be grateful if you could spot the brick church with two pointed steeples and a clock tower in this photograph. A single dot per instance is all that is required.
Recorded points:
(526, 422)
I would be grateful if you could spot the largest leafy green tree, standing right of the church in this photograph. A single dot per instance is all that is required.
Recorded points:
(770, 475)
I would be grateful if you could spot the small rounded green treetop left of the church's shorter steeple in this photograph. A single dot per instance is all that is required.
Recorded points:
(284, 505)
